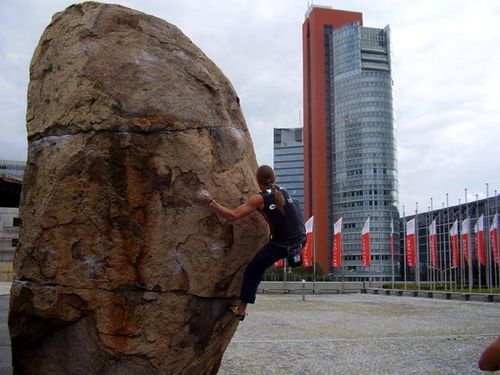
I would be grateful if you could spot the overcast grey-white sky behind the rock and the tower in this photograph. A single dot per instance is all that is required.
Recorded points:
(446, 72)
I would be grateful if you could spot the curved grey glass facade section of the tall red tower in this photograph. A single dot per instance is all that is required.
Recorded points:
(363, 146)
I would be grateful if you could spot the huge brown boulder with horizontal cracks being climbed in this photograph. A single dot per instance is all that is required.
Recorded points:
(119, 269)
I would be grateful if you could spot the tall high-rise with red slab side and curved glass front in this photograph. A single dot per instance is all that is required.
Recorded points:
(350, 167)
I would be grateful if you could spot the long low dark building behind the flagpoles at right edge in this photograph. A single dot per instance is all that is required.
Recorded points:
(445, 269)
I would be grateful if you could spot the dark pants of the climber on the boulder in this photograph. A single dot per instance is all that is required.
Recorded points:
(269, 254)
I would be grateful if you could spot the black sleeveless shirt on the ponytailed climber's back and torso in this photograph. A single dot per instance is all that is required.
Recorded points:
(288, 228)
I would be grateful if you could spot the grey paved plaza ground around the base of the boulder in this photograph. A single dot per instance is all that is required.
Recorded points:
(348, 334)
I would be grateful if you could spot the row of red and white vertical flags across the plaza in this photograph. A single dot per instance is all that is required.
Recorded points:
(411, 250)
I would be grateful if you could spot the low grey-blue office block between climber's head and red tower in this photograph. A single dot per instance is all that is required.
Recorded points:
(289, 161)
